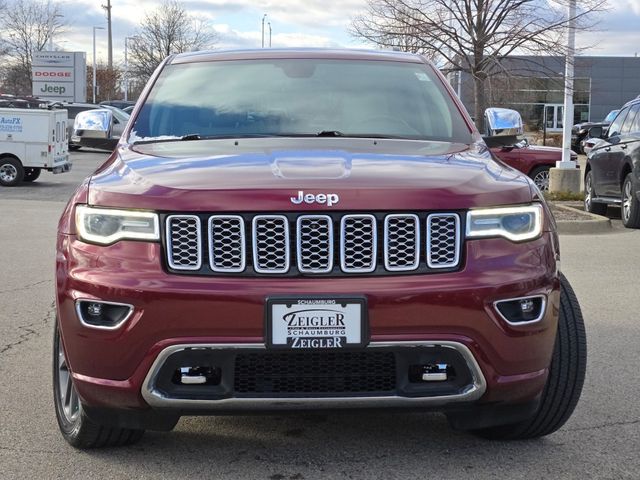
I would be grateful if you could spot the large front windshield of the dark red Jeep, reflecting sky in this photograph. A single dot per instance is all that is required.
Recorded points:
(290, 97)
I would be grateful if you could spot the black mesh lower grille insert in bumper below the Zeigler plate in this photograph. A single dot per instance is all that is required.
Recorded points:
(315, 372)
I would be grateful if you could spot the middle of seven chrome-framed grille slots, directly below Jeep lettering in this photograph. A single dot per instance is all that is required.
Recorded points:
(315, 243)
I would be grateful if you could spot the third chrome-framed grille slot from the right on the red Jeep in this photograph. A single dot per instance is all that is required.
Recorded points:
(358, 243)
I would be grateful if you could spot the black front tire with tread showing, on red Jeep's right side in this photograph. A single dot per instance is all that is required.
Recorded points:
(565, 380)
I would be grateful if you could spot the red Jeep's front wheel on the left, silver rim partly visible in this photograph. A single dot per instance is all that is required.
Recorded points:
(76, 428)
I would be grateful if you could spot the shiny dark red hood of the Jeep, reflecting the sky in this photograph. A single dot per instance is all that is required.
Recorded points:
(263, 175)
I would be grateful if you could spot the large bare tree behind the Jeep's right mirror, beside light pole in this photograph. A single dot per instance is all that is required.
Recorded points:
(472, 35)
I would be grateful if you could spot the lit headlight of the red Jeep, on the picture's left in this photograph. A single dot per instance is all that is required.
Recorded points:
(105, 226)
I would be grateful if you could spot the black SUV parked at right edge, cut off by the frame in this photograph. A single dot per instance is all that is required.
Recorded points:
(612, 174)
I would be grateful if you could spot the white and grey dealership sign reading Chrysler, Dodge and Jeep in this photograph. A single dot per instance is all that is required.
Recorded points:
(60, 76)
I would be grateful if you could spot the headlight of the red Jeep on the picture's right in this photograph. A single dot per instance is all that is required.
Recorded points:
(514, 223)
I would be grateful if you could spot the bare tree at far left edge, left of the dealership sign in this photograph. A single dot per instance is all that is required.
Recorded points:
(27, 26)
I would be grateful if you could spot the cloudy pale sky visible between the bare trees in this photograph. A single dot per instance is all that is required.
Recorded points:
(310, 23)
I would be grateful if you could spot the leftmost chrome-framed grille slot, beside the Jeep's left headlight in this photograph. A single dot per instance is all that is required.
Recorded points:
(184, 242)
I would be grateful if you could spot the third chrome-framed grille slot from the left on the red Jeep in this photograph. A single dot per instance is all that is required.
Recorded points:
(271, 244)
